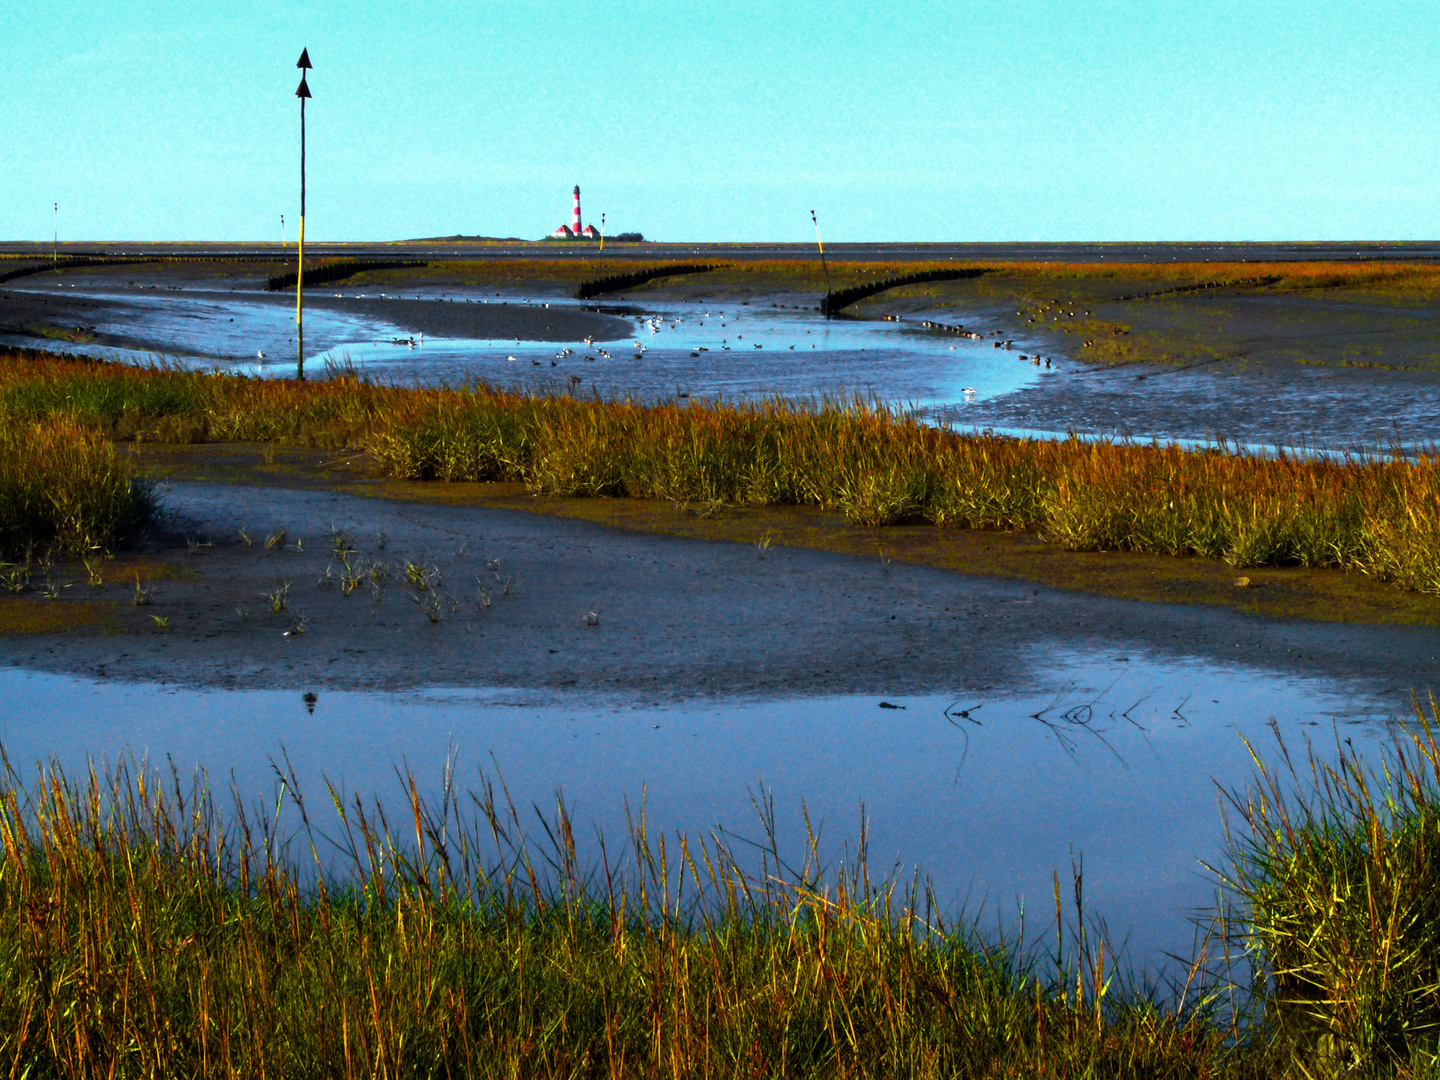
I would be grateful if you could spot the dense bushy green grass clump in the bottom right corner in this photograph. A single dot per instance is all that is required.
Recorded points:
(1337, 866)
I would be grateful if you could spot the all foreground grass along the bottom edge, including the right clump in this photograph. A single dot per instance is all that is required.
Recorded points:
(152, 928)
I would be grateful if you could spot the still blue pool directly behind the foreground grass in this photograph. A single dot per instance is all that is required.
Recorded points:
(1118, 762)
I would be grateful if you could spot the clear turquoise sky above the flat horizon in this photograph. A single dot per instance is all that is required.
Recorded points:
(726, 122)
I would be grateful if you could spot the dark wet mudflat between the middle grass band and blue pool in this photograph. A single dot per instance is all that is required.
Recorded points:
(673, 618)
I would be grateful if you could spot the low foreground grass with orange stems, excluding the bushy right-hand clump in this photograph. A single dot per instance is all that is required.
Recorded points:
(150, 930)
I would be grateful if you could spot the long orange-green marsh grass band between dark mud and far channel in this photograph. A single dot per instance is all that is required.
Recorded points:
(881, 467)
